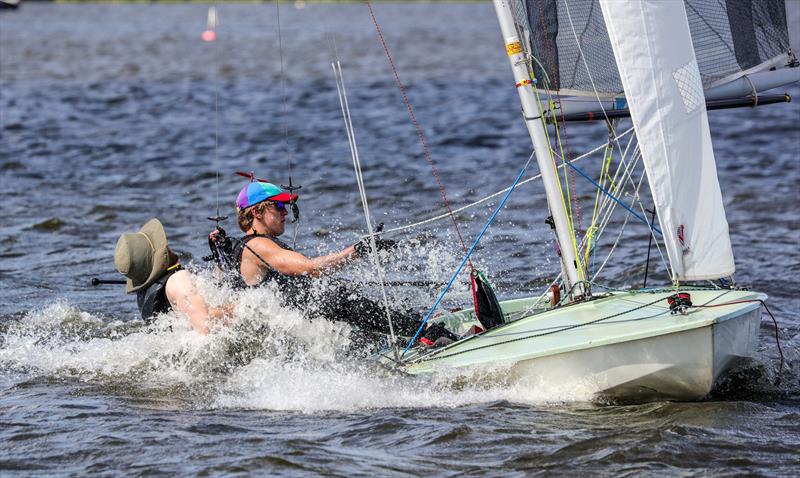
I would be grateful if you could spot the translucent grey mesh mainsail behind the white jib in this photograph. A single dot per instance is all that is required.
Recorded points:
(730, 38)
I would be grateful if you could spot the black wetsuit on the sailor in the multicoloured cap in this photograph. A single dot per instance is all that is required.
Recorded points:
(336, 302)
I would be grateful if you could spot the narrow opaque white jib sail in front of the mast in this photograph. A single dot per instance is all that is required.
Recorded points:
(659, 73)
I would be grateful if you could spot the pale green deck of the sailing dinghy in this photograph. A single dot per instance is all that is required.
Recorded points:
(615, 318)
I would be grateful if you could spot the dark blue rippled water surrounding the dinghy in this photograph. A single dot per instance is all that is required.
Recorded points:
(107, 118)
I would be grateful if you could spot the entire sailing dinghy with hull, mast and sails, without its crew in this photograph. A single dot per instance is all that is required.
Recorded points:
(663, 64)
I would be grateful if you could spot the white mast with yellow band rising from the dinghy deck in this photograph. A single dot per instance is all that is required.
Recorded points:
(535, 123)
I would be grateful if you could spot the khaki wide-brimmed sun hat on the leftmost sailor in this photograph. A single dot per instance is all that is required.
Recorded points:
(142, 256)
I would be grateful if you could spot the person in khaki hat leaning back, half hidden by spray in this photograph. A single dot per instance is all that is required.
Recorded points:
(155, 275)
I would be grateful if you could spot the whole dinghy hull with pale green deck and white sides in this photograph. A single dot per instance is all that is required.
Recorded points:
(638, 351)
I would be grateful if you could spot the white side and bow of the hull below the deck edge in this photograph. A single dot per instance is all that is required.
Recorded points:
(679, 366)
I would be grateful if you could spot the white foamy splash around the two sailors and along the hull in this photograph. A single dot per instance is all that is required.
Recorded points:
(266, 356)
